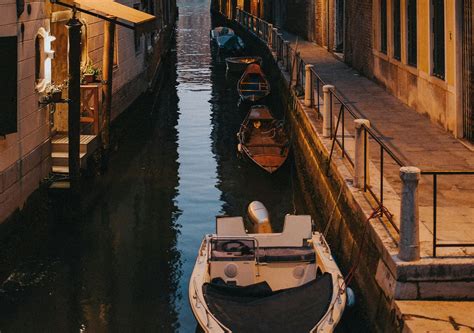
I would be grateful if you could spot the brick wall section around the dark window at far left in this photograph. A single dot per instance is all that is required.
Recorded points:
(24, 156)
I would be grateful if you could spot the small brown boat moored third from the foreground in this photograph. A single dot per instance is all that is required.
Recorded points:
(253, 85)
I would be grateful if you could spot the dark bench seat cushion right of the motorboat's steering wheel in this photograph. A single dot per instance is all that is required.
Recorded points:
(275, 254)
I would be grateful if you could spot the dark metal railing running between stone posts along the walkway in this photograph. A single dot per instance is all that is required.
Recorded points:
(293, 63)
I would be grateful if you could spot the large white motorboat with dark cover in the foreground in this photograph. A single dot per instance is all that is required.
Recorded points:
(266, 282)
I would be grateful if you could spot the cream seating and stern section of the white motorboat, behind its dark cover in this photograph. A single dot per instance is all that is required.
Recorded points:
(283, 260)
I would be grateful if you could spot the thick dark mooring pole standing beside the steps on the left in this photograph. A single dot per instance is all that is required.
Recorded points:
(74, 116)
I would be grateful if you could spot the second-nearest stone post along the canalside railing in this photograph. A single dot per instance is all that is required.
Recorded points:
(360, 160)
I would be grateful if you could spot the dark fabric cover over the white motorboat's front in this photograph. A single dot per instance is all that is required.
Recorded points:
(256, 308)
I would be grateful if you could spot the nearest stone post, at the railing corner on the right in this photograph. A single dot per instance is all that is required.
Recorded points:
(409, 248)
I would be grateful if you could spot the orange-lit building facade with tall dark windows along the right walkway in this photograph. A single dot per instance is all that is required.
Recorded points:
(419, 50)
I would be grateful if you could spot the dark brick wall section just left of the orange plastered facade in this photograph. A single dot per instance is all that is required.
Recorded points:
(358, 39)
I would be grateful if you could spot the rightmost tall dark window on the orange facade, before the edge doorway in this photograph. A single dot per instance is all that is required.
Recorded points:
(438, 38)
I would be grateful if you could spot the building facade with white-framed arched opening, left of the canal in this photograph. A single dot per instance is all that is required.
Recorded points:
(34, 58)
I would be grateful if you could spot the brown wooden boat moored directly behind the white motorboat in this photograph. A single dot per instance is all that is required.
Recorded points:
(263, 139)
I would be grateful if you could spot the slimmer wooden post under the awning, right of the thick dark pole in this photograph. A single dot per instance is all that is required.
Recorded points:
(107, 72)
